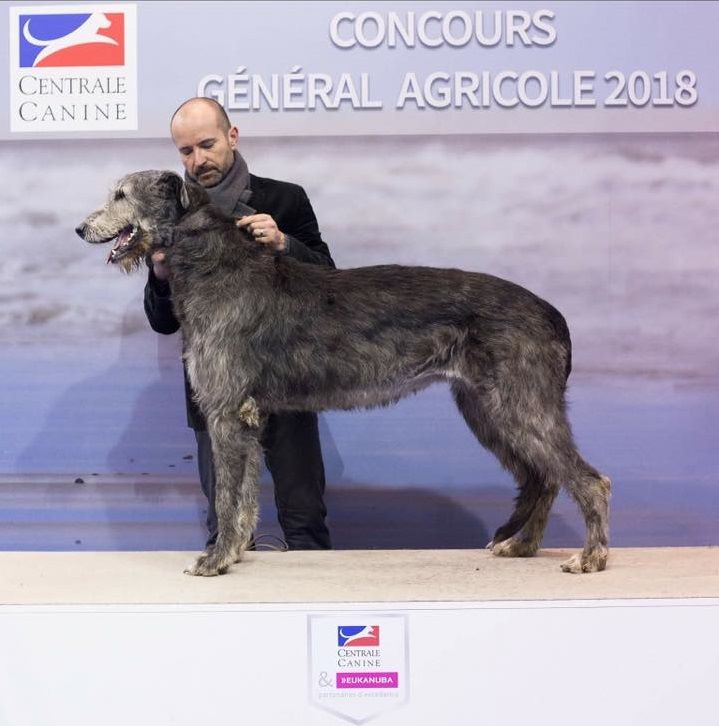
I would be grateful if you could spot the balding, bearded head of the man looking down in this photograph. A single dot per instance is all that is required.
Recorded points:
(205, 138)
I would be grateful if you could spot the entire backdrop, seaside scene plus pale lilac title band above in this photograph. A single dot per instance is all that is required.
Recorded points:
(610, 213)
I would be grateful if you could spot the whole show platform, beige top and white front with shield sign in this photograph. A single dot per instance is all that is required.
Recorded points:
(451, 636)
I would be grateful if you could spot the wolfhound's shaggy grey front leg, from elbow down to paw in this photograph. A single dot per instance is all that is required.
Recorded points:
(236, 451)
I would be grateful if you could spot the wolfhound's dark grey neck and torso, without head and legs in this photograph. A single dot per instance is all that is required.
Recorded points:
(383, 330)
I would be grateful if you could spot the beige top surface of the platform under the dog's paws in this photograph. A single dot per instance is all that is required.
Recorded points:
(353, 576)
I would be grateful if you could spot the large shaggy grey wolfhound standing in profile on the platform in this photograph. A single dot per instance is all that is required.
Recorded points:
(264, 333)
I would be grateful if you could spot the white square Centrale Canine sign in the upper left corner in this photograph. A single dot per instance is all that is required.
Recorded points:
(73, 68)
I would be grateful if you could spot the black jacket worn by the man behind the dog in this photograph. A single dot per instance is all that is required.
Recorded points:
(291, 209)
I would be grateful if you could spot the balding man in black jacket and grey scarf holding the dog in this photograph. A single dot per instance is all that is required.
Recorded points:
(279, 215)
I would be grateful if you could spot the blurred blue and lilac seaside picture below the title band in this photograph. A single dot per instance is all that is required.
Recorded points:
(617, 231)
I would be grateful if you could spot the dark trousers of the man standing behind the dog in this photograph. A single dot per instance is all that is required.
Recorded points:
(293, 456)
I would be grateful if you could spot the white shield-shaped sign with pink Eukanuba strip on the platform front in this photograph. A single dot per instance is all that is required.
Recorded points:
(359, 664)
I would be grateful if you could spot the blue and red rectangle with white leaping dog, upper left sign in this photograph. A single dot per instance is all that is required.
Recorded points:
(71, 39)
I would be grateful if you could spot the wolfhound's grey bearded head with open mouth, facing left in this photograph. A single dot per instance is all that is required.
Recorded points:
(140, 214)
